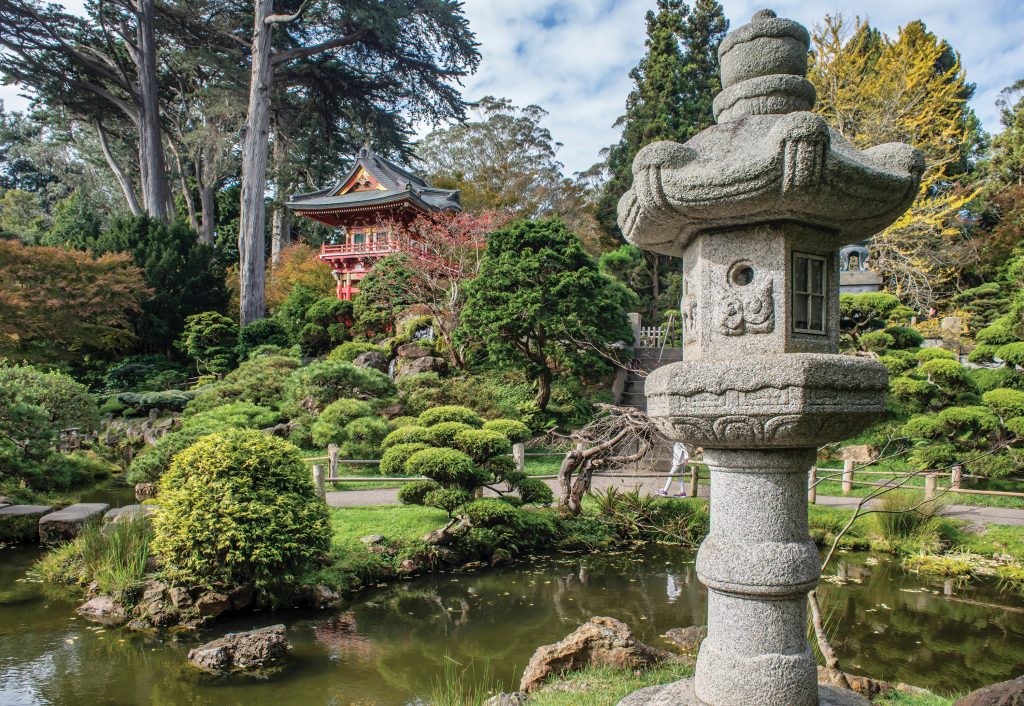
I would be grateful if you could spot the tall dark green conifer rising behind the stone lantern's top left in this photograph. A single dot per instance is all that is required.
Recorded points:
(674, 86)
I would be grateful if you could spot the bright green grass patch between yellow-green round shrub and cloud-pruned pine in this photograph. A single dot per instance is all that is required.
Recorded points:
(397, 523)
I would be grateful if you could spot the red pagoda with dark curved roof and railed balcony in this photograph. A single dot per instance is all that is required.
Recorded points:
(374, 198)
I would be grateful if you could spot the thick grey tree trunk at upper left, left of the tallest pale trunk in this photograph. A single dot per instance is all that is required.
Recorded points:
(156, 190)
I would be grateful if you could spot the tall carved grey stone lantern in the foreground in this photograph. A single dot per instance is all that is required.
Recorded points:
(759, 206)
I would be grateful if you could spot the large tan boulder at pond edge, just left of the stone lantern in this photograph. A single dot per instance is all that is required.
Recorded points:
(601, 643)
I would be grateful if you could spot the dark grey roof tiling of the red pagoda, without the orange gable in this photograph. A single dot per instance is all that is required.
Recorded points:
(399, 185)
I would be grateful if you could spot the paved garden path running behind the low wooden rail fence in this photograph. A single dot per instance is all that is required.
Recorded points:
(973, 514)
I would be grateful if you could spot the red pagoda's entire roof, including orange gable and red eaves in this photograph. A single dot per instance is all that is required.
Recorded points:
(373, 187)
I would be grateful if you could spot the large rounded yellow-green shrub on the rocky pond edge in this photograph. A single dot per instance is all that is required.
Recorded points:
(240, 508)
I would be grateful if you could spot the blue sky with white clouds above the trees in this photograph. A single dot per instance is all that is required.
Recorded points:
(573, 57)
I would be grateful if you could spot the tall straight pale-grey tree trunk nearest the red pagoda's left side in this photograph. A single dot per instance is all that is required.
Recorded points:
(254, 155)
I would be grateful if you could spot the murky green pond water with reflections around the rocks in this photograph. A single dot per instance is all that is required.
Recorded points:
(390, 645)
